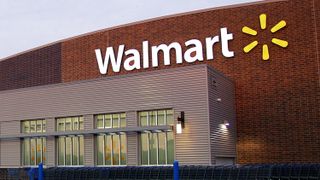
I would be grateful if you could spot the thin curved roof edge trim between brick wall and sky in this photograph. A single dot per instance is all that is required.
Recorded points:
(258, 2)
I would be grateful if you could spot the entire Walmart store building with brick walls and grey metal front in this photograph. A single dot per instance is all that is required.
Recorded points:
(237, 84)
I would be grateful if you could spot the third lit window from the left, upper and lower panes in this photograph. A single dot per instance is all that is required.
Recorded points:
(111, 148)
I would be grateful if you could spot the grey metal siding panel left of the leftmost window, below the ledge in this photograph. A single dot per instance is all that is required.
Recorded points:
(10, 153)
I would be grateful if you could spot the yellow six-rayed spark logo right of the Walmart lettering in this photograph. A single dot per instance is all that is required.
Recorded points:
(263, 25)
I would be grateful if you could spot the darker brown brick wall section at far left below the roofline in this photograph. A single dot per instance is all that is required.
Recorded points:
(34, 68)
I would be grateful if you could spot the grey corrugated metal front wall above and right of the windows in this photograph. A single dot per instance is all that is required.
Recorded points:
(183, 89)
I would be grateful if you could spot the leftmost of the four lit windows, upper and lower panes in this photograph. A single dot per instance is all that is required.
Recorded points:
(33, 149)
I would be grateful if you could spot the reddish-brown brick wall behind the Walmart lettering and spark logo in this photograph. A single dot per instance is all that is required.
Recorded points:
(277, 101)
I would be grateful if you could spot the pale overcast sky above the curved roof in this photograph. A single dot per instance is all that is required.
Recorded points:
(25, 24)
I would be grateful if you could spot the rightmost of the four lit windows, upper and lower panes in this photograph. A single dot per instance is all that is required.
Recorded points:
(157, 148)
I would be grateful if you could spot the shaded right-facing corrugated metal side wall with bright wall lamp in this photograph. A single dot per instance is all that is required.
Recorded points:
(223, 140)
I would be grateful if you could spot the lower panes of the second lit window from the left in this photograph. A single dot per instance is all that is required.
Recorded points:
(70, 150)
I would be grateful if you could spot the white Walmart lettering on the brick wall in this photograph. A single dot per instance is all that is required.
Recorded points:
(193, 53)
